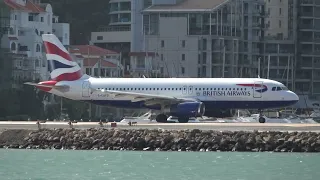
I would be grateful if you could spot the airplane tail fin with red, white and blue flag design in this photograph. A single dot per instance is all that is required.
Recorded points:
(60, 63)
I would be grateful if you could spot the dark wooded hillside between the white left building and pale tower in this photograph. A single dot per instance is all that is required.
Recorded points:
(84, 16)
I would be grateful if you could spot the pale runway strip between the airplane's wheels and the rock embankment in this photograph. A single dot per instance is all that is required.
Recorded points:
(167, 126)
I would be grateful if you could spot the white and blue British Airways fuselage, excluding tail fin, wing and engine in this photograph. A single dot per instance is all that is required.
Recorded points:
(226, 93)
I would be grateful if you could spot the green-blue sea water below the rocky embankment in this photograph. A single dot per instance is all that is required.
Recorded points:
(133, 165)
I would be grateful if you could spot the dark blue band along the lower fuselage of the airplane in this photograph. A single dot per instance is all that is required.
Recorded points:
(208, 104)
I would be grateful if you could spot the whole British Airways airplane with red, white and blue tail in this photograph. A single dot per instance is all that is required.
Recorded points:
(183, 98)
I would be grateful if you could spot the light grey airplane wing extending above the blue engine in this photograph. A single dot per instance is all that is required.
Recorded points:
(150, 99)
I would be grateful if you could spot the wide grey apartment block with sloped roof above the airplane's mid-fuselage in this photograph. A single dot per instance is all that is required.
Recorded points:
(206, 38)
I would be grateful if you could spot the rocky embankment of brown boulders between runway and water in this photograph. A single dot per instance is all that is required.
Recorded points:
(160, 140)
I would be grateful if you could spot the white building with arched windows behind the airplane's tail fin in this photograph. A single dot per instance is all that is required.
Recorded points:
(30, 19)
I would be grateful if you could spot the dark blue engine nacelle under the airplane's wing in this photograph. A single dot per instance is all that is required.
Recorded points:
(186, 109)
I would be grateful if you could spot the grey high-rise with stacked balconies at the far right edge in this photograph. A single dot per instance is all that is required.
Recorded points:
(307, 76)
